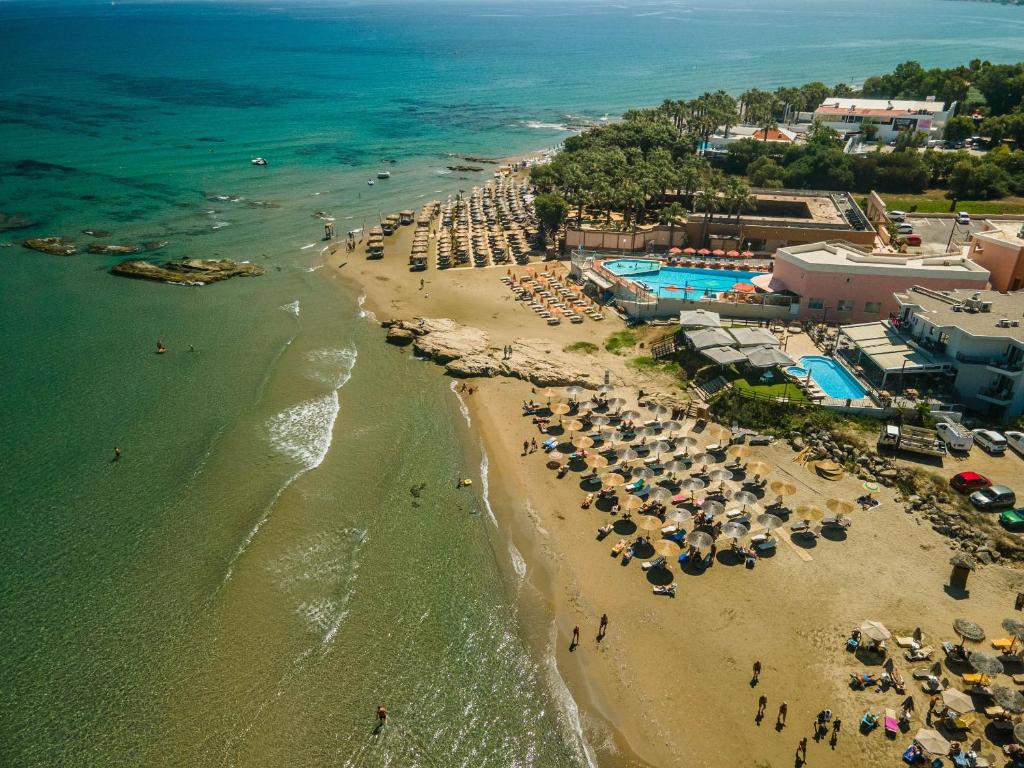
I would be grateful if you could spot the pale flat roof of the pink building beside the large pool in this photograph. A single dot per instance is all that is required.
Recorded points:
(843, 258)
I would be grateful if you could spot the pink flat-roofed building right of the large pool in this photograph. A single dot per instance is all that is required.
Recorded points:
(837, 283)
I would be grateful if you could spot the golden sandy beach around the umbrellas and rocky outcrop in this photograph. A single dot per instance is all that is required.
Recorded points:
(671, 684)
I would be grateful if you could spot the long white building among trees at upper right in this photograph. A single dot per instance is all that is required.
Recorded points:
(890, 116)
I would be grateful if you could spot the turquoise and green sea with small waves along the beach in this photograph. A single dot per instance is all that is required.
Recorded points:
(280, 548)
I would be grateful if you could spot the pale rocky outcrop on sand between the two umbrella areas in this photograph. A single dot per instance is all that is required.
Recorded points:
(466, 352)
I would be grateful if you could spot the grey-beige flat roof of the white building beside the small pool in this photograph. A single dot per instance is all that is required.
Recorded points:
(937, 309)
